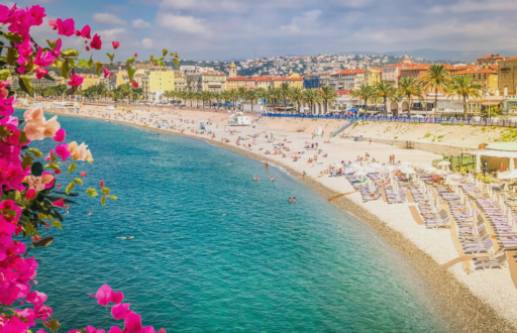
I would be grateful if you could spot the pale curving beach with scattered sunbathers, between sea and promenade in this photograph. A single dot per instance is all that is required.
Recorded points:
(472, 300)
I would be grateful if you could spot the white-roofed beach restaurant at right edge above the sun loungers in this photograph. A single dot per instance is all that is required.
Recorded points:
(500, 157)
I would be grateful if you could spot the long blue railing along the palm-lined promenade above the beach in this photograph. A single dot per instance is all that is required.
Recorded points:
(401, 119)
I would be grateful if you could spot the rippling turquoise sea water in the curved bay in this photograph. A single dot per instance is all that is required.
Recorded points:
(216, 252)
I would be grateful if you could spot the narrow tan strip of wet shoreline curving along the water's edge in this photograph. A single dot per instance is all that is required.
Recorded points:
(457, 304)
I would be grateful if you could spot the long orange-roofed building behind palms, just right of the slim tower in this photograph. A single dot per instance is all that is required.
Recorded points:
(265, 81)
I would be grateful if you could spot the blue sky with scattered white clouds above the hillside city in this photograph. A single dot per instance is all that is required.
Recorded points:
(230, 29)
